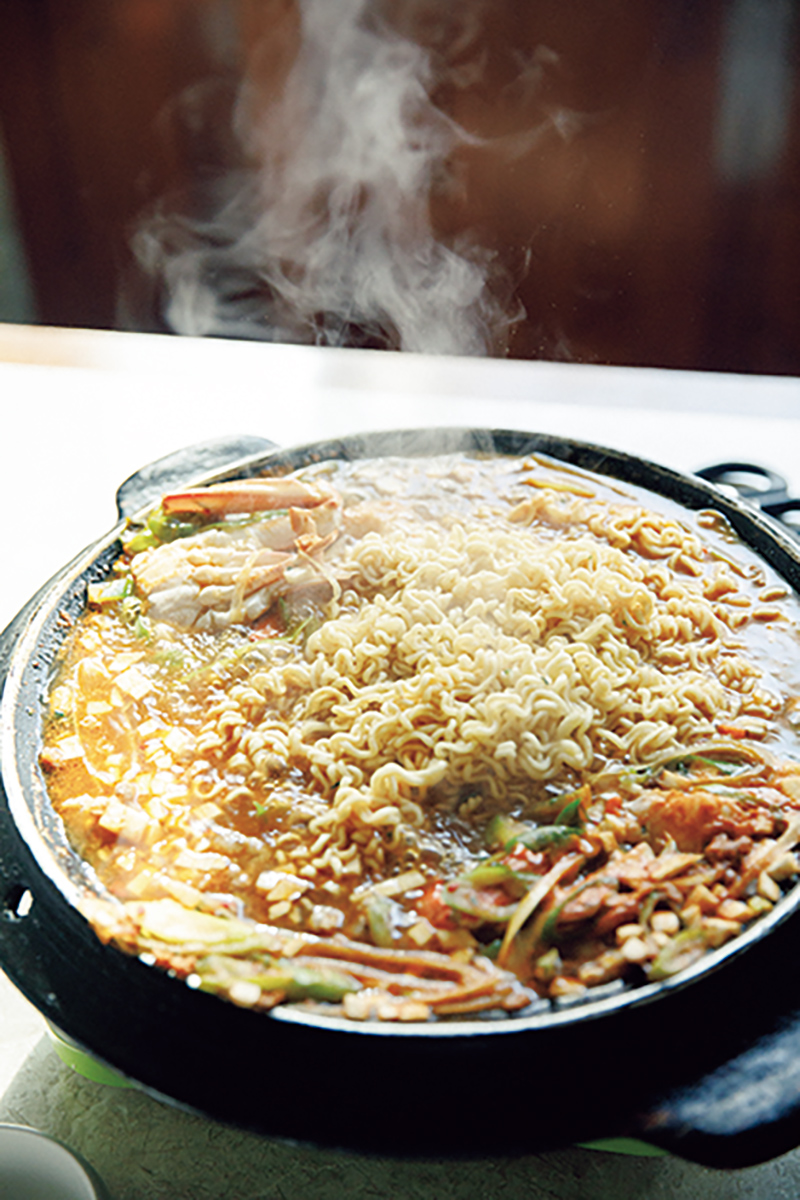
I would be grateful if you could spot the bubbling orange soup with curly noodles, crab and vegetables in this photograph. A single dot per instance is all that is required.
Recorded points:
(414, 739)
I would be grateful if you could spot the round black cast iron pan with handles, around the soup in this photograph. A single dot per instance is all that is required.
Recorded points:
(707, 1065)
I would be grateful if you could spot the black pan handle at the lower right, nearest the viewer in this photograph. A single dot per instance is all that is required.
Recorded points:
(745, 1113)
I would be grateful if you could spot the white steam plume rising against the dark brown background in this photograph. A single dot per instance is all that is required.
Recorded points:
(328, 239)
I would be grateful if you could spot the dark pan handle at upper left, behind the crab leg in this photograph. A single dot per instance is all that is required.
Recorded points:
(151, 483)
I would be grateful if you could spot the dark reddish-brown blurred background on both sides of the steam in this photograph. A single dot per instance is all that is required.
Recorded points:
(654, 219)
